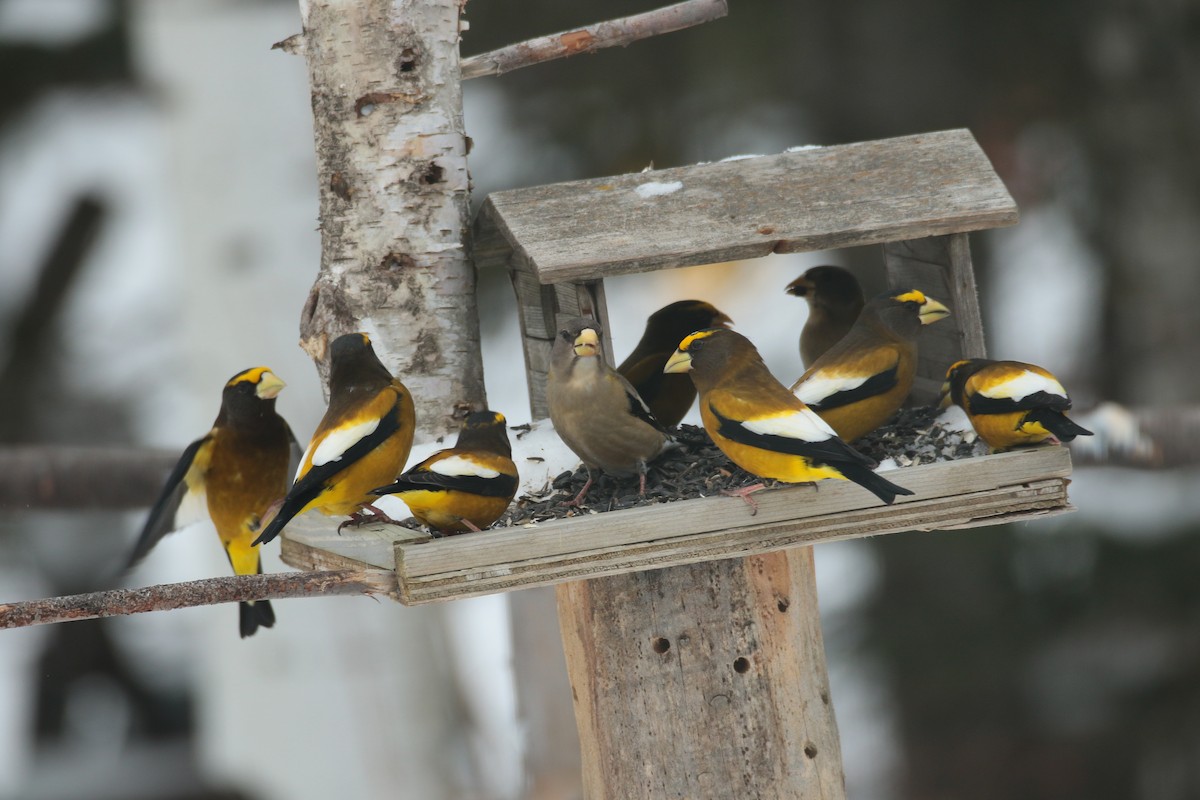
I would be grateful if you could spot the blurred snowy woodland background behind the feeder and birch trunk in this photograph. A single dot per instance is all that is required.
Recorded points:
(1053, 660)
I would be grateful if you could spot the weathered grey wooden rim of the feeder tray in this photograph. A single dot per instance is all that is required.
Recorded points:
(952, 495)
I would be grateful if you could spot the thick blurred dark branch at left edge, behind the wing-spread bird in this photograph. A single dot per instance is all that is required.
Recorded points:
(57, 477)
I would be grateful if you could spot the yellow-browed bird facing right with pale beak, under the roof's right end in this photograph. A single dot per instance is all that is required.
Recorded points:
(863, 380)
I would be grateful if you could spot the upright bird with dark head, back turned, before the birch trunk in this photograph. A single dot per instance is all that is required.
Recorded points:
(362, 443)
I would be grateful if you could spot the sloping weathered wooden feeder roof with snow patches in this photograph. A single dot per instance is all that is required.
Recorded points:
(863, 194)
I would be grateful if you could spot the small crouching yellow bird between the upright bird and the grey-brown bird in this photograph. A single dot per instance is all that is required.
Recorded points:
(466, 488)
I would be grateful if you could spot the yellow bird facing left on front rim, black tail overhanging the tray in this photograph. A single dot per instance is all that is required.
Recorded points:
(760, 425)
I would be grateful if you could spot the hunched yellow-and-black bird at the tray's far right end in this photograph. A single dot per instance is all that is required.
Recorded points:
(1011, 404)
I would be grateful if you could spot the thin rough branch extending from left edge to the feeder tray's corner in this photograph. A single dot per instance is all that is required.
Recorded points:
(197, 593)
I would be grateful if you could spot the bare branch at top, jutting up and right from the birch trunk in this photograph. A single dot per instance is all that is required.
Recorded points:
(595, 38)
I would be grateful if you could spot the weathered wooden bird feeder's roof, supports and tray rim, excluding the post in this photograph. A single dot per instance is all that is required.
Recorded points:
(917, 196)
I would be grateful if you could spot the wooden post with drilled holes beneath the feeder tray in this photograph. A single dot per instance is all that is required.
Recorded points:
(735, 645)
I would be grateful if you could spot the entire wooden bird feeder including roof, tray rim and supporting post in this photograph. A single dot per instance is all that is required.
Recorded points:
(691, 629)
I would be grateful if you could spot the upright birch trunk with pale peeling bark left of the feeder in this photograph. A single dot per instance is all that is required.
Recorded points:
(392, 155)
